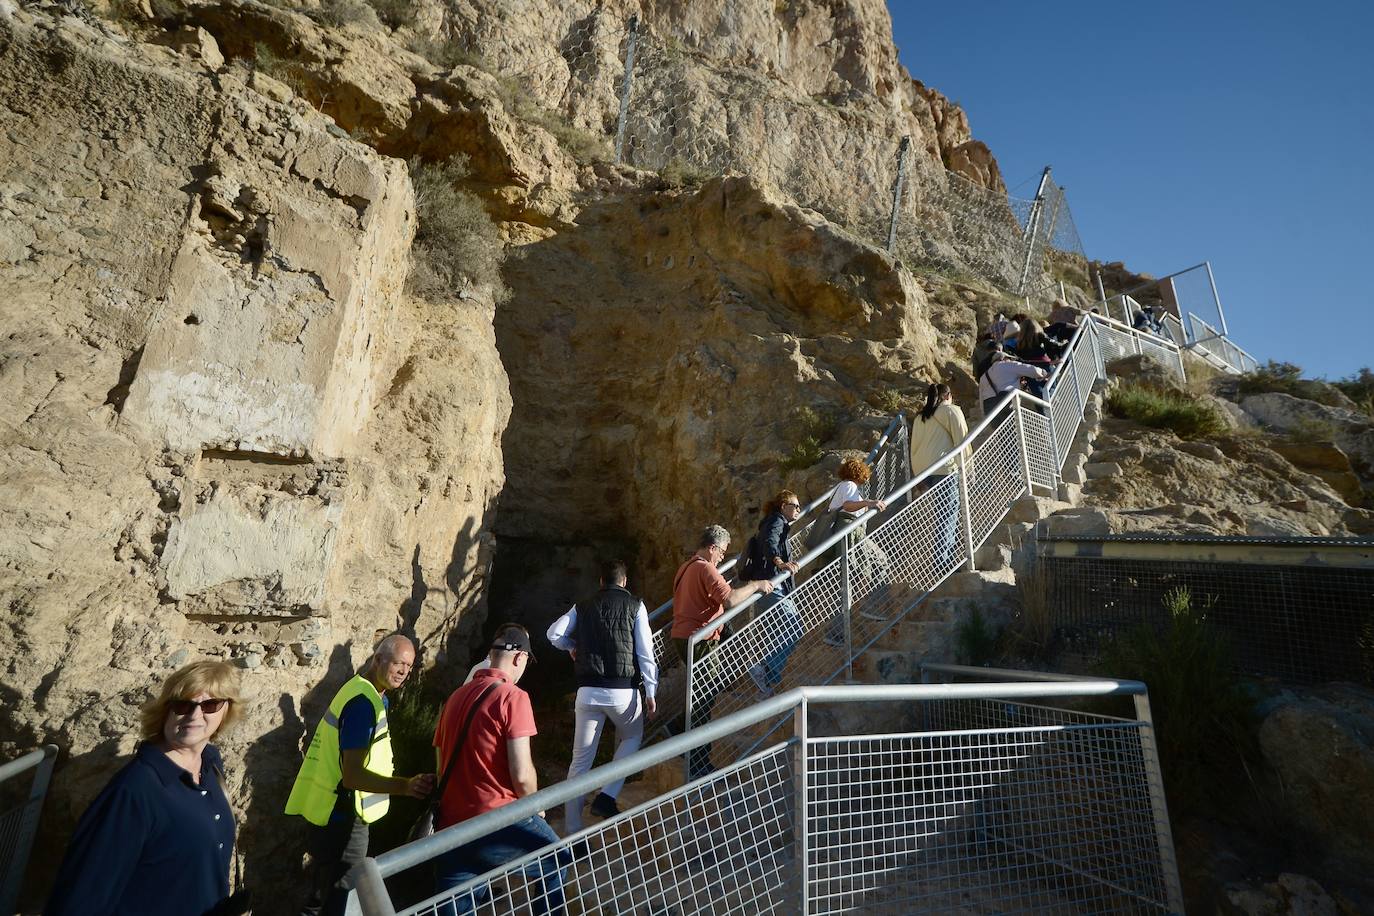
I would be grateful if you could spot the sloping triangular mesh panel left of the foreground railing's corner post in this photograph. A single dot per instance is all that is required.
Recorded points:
(722, 845)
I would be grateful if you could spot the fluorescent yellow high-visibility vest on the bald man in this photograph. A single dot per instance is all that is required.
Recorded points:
(318, 785)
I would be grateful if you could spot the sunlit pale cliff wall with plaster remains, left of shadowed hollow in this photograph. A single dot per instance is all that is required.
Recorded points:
(229, 432)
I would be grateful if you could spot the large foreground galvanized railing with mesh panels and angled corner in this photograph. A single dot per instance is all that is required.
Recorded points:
(997, 796)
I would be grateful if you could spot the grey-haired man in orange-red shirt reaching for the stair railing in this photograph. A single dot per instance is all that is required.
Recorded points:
(700, 597)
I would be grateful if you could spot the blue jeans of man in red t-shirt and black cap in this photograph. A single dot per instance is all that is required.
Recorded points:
(482, 856)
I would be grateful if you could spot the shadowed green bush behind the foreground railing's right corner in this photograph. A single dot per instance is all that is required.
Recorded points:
(1204, 720)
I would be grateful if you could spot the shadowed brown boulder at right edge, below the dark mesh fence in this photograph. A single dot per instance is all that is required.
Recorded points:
(1321, 744)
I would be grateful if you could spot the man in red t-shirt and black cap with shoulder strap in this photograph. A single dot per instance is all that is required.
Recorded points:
(484, 735)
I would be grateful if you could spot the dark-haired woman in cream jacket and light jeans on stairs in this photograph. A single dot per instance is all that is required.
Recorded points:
(935, 435)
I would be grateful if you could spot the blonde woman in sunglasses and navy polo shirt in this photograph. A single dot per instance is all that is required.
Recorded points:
(160, 836)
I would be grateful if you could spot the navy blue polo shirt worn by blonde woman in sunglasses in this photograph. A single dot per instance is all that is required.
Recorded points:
(152, 844)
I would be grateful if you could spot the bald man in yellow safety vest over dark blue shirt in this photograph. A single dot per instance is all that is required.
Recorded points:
(347, 778)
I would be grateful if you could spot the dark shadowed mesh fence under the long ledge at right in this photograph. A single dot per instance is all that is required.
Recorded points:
(1303, 624)
